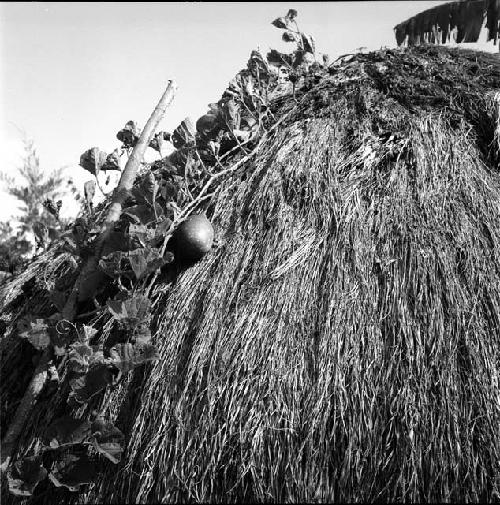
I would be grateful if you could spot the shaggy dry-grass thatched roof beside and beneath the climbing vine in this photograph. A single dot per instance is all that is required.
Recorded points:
(343, 341)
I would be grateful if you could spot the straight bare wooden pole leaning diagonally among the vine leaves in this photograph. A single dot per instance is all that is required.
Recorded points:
(121, 193)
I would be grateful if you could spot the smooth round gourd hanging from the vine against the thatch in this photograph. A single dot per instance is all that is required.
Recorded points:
(193, 238)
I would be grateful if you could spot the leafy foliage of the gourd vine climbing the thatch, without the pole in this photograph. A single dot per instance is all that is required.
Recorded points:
(132, 255)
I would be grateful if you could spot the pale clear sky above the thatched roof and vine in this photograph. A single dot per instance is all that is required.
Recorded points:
(72, 74)
